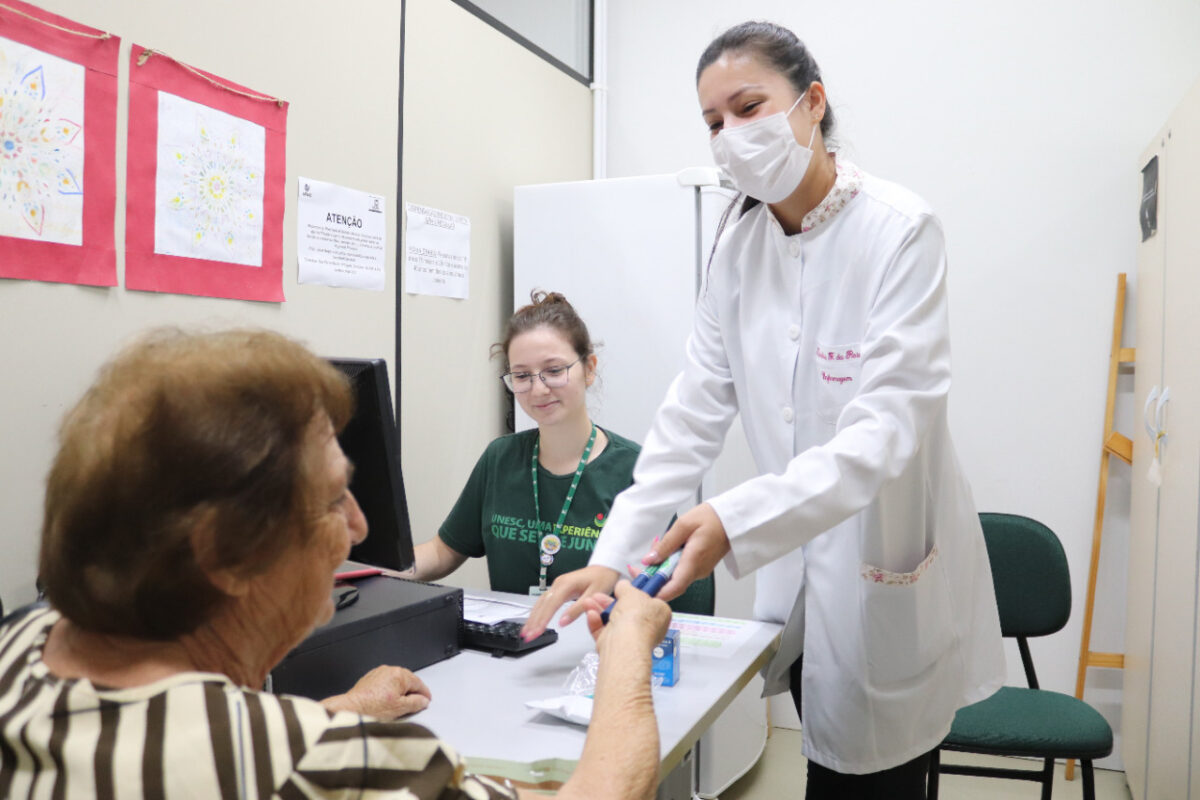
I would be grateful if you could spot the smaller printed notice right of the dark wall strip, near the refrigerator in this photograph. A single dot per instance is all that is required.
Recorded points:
(437, 252)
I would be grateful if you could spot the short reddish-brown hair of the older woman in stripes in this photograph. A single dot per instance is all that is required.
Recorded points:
(183, 431)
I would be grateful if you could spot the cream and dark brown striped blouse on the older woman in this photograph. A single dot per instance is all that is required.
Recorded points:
(200, 736)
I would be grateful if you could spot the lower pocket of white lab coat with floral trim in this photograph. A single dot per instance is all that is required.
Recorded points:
(908, 621)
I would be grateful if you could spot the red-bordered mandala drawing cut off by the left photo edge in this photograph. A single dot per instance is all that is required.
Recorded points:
(58, 143)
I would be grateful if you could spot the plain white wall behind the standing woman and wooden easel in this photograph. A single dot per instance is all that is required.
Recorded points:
(1022, 124)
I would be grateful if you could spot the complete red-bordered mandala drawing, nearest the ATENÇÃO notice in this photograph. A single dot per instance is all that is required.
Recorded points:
(205, 202)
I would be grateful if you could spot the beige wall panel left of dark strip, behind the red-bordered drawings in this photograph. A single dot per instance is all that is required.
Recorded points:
(340, 73)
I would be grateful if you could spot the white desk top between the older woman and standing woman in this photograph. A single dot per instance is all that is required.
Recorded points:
(479, 702)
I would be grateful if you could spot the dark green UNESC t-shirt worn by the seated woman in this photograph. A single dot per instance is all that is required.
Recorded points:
(495, 515)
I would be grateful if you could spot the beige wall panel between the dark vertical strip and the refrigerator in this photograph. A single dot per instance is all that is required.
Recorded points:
(482, 116)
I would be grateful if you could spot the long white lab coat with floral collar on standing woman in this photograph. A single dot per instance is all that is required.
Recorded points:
(835, 347)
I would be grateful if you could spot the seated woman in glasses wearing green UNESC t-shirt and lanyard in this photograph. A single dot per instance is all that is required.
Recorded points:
(537, 501)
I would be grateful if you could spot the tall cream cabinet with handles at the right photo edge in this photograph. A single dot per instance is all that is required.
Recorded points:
(1161, 717)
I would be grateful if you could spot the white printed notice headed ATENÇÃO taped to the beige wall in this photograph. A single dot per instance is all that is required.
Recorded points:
(341, 237)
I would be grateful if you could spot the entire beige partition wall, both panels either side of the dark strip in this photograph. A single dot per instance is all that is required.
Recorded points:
(483, 116)
